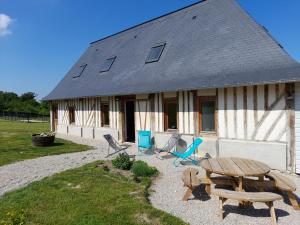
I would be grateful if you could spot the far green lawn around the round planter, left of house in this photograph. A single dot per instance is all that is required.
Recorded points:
(15, 139)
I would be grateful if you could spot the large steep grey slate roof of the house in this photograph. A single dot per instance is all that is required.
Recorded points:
(223, 46)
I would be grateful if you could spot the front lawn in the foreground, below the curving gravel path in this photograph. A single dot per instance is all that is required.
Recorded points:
(88, 195)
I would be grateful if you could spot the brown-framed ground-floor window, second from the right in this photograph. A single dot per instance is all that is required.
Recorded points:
(170, 114)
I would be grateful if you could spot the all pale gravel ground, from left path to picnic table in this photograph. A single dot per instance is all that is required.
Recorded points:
(167, 190)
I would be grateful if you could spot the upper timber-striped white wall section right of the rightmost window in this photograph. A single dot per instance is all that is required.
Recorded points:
(253, 113)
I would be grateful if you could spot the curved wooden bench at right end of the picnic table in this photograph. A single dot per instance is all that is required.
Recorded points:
(283, 183)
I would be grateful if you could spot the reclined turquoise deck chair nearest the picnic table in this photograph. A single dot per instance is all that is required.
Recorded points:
(188, 153)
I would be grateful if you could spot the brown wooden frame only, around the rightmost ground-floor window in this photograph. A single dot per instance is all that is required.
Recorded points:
(200, 100)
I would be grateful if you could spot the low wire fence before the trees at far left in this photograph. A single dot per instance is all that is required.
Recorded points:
(24, 116)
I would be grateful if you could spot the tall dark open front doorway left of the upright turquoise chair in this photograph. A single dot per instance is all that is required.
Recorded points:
(129, 121)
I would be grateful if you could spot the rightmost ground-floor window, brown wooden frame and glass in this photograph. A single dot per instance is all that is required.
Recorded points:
(207, 111)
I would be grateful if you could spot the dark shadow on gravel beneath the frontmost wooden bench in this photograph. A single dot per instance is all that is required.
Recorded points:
(251, 211)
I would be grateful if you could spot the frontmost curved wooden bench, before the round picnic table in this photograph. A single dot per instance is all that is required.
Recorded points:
(264, 197)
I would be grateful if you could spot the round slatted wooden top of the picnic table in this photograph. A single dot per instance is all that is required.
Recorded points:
(235, 167)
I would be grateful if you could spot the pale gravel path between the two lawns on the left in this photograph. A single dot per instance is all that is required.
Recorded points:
(21, 173)
